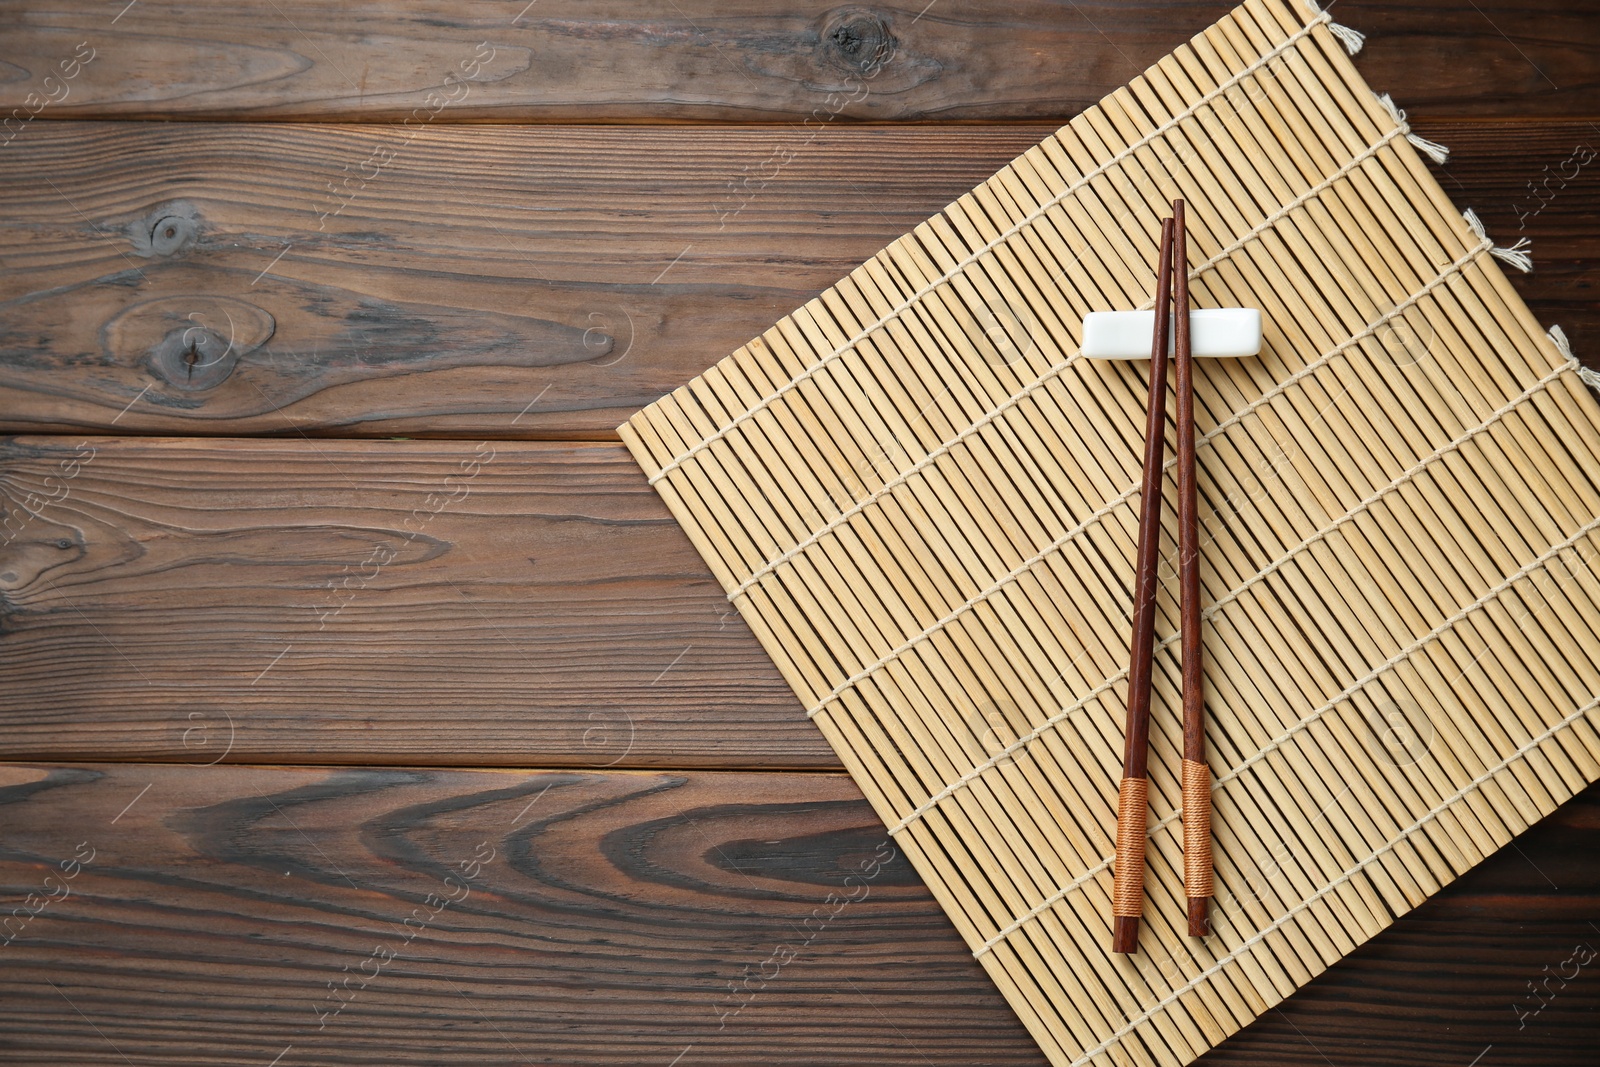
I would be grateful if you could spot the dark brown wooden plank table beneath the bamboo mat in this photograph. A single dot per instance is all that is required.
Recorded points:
(364, 706)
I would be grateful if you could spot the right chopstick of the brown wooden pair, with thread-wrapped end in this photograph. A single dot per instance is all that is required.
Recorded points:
(1196, 770)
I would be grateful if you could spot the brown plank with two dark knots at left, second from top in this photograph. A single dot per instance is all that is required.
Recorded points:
(508, 281)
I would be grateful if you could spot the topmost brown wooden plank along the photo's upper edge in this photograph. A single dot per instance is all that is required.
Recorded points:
(574, 60)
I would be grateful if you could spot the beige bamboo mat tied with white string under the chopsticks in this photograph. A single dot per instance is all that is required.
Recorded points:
(926, 506)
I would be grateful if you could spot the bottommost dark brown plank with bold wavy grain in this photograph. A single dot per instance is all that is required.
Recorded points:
(233, 916)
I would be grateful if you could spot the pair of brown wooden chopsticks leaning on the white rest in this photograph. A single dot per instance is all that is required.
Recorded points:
(1172, 289)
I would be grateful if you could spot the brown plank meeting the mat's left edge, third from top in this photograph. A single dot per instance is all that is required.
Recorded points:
(385, 602)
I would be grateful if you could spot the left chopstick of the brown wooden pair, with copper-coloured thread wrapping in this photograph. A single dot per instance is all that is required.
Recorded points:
(1134, 793)
